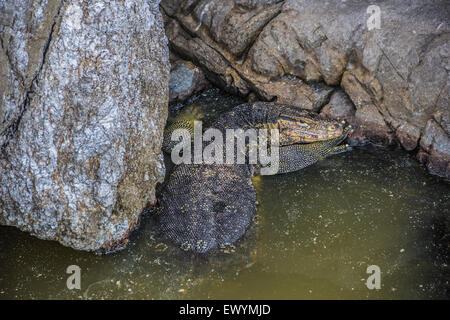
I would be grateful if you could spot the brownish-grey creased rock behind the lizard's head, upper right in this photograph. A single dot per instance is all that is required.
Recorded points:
(396, 76)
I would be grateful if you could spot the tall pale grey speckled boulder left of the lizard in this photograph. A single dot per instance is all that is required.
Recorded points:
(84, 94)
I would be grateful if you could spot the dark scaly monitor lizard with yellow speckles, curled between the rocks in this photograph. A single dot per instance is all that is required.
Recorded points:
(206, 206)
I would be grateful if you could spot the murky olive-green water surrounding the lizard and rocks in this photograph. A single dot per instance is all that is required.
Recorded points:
(316, 232)
